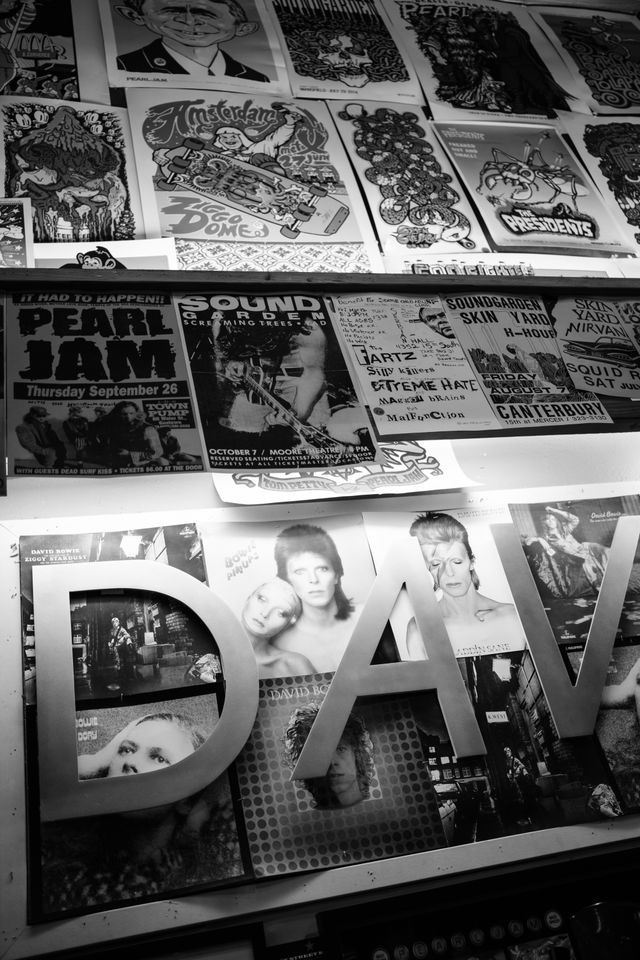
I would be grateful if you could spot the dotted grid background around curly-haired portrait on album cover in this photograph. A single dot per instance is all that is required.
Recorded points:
(286, 833)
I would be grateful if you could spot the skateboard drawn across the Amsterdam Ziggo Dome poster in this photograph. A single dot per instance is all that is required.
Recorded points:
(258, 188)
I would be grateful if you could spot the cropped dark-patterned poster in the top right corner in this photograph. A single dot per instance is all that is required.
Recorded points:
(603, 50)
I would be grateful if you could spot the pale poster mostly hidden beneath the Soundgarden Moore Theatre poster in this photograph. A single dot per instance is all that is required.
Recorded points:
(402, 466)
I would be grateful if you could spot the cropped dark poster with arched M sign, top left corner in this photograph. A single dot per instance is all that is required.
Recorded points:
(36, 49)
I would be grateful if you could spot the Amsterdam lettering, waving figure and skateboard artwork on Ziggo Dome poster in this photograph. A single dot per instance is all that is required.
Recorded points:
(260, 164)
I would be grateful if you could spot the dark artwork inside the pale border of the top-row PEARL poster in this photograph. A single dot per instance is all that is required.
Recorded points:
(484, 60)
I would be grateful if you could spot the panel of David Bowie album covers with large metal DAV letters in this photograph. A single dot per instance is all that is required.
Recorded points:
(405, 674)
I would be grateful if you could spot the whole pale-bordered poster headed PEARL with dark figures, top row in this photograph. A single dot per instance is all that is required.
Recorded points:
(487, 60)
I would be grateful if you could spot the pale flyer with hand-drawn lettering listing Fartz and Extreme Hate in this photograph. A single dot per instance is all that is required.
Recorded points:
(414, 375)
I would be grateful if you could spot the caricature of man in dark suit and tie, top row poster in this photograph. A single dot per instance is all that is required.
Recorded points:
(189, 37)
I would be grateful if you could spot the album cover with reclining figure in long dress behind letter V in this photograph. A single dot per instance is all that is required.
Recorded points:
(567, 545)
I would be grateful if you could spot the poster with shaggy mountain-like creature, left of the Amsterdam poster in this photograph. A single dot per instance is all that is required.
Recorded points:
(75, 163)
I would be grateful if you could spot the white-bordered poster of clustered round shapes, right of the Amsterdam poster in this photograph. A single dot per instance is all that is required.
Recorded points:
(416, 200)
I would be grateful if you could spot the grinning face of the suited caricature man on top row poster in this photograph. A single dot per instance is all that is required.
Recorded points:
(200, 23)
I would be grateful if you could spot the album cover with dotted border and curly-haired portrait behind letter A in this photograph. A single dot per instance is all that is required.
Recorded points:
(375, 801)
